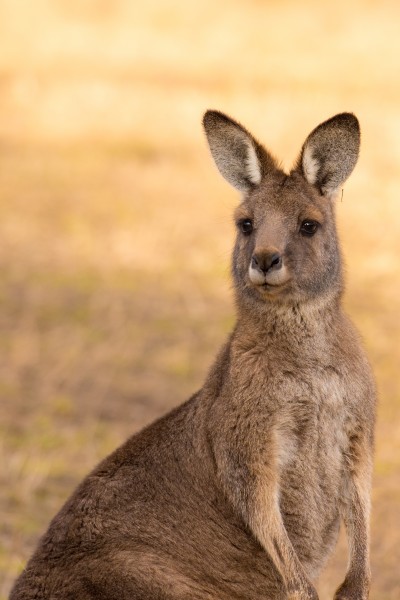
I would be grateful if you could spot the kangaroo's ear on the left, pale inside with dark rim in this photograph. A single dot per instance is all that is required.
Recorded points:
(239, 157)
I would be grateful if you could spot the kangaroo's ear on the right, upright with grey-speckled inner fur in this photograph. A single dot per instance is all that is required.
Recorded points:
(330, 153)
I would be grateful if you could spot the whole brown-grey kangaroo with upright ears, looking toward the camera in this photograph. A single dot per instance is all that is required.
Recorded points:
(239, 493)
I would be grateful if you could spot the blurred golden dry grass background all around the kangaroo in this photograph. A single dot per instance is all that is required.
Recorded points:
(116, 229)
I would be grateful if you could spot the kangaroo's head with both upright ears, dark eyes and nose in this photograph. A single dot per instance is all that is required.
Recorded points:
(286, 248)
